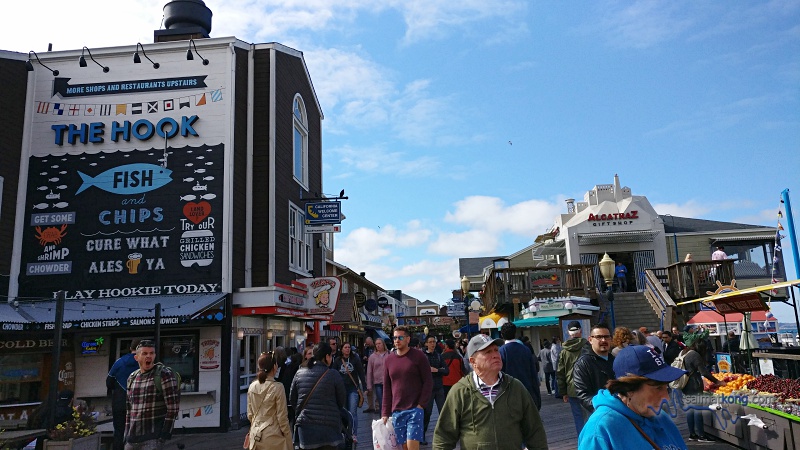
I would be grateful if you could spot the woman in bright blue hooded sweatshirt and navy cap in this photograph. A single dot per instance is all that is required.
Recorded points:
(627, 412)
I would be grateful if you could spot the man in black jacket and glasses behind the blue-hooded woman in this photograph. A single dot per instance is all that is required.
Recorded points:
(594, 367)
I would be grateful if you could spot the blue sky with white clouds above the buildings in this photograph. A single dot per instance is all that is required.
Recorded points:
(457, 129)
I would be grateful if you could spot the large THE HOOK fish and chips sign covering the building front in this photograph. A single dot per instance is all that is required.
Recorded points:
(125, 181)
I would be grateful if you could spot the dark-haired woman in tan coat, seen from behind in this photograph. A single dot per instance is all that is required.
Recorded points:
(266, 409)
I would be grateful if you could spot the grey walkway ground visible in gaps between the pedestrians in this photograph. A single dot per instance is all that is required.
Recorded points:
(555, 415)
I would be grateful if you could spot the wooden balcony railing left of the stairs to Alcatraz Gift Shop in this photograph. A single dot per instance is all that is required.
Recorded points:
(524, 283)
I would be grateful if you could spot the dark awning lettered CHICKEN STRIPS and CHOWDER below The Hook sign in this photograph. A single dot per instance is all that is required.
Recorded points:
(127, 311)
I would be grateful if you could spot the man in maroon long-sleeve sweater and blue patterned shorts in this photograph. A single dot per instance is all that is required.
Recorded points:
(407, 387)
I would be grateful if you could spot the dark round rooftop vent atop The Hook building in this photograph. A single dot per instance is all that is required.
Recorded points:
(184, 20)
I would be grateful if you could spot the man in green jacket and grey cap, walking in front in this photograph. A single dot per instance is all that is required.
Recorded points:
(487, 408)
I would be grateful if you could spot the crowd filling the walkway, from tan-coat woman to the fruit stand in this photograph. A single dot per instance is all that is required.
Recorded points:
(486, 390)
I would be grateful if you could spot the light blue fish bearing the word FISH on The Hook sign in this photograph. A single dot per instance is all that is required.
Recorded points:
(129, 179)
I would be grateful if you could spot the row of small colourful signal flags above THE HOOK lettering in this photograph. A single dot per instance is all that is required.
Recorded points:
(125, 109)
